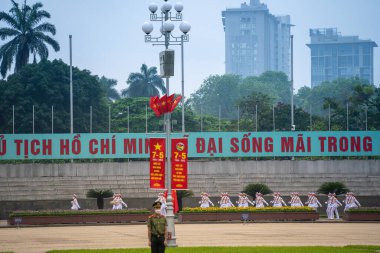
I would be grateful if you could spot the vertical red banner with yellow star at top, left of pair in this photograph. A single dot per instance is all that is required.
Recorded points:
(157, 149)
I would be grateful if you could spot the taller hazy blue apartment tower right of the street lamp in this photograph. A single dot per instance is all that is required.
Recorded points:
(255, 40)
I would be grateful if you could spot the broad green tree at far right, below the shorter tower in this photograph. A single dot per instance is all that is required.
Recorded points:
(336, 95)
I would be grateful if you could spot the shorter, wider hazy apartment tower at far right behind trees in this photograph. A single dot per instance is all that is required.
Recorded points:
(335, 56)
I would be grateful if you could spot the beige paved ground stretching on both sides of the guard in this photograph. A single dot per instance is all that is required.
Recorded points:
(41, 239)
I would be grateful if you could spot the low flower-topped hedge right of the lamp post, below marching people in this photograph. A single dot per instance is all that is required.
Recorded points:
(246, 210)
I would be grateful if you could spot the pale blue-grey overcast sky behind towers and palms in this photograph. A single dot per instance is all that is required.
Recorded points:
(108, 40)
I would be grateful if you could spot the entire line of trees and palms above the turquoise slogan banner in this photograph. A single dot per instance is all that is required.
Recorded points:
(223, 102)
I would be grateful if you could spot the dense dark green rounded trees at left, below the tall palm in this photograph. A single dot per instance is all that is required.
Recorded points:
(44, 85)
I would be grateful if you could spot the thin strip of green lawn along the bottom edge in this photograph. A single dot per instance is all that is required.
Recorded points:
(319, 249)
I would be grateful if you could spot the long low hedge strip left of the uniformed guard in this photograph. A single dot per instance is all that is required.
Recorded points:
(74, 212)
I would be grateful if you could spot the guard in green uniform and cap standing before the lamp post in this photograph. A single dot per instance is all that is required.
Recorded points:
(157, 230)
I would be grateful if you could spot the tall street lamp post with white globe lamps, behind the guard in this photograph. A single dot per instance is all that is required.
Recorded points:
(166, 38)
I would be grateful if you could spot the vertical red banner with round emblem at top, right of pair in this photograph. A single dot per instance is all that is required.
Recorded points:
(179, 164)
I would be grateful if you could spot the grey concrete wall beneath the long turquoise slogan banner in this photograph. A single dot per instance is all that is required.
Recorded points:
(41, 186)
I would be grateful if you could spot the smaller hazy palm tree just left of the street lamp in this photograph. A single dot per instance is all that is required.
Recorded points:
(144, 84)
